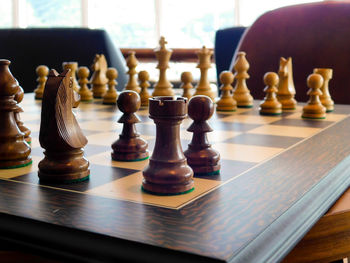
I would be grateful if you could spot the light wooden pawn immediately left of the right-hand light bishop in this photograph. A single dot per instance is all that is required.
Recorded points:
(226, 101)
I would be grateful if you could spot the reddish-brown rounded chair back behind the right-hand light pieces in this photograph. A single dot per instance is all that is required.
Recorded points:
(315, 35)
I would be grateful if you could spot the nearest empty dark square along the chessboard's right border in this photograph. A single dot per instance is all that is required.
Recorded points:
(264, 140)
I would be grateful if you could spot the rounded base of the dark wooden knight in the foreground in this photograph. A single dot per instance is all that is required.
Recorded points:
(65, 167)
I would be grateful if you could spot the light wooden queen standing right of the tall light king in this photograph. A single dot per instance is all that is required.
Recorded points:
(203, 86)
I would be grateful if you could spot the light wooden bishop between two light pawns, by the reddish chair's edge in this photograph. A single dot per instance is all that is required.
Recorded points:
(241, 92)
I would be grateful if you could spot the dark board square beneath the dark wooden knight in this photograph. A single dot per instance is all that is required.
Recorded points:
(99, 175)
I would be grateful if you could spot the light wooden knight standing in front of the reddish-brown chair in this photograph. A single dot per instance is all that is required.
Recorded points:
(286, 90)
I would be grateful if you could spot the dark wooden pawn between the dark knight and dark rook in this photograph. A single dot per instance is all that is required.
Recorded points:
(129, 147)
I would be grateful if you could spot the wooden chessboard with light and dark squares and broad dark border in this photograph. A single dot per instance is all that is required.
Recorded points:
(279, 173)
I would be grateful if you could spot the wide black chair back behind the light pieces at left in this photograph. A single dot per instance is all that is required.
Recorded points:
(29, 48)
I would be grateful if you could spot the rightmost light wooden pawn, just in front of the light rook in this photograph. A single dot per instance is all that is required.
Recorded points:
(314, 108)
